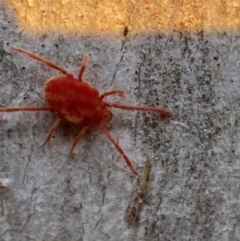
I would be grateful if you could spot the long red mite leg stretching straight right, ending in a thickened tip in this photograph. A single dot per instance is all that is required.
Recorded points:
(162, 111)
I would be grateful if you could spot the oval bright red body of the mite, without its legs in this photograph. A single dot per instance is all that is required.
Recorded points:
(76, 101)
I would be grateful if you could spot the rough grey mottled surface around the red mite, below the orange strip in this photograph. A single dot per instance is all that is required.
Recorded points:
(193, 193)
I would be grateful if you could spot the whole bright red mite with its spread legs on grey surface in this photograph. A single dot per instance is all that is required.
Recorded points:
(79, 102)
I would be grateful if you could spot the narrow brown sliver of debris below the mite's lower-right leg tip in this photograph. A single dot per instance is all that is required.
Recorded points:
(132, 213)
